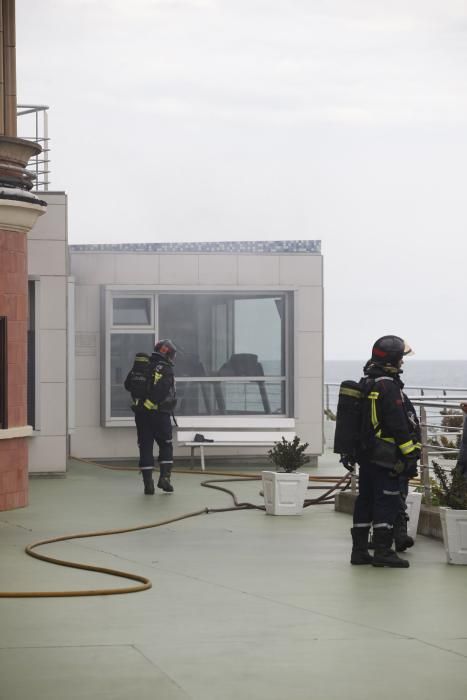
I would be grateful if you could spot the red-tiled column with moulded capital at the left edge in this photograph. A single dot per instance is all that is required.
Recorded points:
(19, 210)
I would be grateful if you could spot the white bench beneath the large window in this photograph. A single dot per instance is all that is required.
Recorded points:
(230, 439)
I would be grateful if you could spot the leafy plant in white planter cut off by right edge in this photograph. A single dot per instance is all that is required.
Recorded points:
(450, 492)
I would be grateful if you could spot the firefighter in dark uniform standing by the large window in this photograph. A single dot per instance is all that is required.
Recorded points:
(153, 418)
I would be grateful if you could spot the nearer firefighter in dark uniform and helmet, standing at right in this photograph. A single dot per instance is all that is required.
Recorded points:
(389, 457)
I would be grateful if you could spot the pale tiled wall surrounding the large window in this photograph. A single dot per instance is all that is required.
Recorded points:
(299, 273)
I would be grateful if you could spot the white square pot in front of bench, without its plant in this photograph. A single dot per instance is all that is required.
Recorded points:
(284, 494)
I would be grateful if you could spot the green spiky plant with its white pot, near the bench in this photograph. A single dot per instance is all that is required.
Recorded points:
(285, 489)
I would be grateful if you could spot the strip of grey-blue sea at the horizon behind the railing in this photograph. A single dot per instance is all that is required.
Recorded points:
(417, 373)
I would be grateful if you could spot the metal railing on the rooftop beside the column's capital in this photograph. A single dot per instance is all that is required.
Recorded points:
(34, 126)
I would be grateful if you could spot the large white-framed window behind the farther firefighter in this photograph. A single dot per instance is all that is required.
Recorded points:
(232, 356)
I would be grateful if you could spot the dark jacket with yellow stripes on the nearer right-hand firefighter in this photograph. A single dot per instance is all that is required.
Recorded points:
(391, 415)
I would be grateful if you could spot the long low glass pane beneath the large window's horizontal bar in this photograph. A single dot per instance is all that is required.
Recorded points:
(230, 398)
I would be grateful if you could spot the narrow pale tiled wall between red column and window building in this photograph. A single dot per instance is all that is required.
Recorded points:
(48, 266)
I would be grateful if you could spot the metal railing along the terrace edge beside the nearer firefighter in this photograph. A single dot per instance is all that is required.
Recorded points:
(435, 406)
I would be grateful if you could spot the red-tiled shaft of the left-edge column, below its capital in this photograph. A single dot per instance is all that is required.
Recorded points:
(13, 305)
